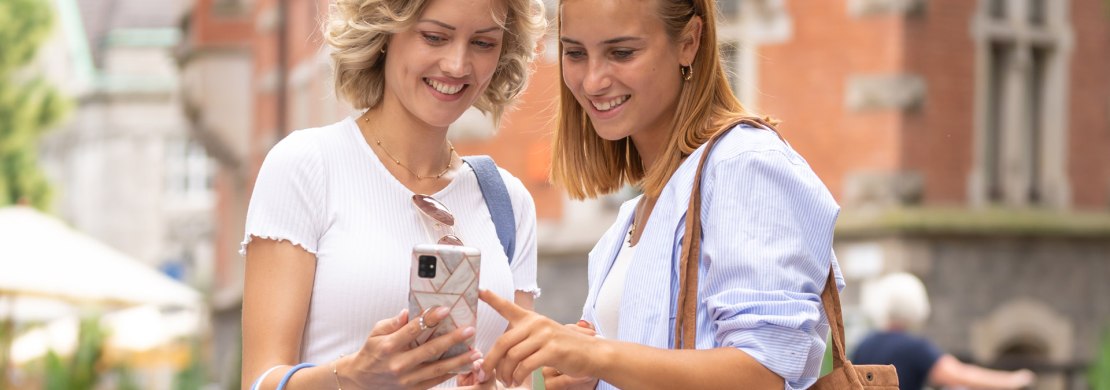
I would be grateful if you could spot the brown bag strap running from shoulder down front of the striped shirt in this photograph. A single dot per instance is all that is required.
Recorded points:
(689, 266)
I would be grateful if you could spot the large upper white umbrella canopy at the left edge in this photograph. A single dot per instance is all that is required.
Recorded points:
(43, 257)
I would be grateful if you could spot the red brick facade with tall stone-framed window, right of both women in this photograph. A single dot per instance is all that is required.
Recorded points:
(933, 89)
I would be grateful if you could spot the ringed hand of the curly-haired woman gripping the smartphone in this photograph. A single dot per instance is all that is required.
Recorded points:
(388, 362)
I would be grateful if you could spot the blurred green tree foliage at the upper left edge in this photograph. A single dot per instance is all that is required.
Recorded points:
(28, 104)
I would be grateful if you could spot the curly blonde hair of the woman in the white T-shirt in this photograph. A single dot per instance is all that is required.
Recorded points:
(359, 31)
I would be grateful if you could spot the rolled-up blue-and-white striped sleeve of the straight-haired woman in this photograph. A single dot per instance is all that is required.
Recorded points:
(766, 254)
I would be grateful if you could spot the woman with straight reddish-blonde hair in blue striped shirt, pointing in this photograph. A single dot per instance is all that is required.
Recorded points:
(643, 93)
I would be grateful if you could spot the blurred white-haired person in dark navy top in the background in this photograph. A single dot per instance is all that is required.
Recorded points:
(899, 306)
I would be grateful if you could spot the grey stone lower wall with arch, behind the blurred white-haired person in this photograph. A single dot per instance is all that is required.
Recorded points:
(1008, 301)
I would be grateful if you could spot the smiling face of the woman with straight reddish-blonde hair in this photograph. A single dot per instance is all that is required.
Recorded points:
(622, 68)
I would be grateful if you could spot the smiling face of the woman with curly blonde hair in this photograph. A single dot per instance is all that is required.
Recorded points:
(439, 67)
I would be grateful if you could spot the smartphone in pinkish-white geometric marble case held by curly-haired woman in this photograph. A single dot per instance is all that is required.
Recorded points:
(446, 276)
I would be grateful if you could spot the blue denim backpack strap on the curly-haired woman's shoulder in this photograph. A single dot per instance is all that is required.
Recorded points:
(497, 197)
